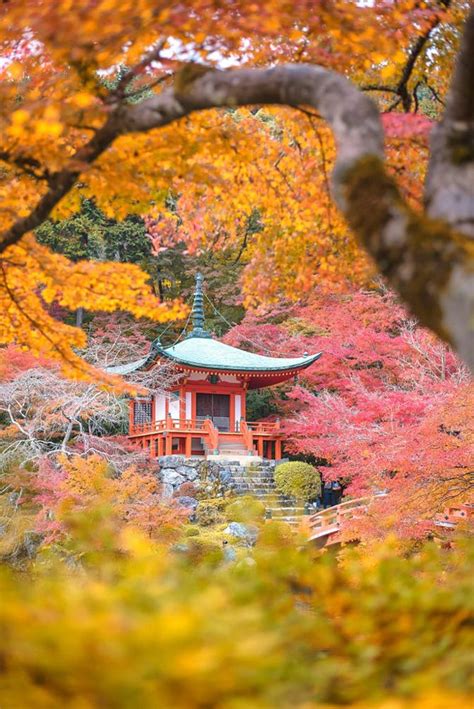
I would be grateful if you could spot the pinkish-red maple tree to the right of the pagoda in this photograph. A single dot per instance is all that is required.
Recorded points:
(388, 407)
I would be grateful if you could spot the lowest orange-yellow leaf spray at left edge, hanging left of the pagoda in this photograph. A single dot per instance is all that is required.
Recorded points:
(30, 274)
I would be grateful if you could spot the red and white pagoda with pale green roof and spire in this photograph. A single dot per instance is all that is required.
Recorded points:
(204, 412)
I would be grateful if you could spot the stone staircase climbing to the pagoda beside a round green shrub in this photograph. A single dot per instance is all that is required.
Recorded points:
(257, 480)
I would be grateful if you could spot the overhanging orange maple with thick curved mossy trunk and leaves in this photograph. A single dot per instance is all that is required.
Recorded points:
(96, 102)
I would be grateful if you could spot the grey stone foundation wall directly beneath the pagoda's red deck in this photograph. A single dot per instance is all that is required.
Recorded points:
(206, 475)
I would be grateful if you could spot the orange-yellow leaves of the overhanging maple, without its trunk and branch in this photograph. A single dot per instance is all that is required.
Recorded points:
(224, 164)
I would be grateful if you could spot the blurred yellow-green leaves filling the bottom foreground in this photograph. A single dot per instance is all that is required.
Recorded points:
(143, 626)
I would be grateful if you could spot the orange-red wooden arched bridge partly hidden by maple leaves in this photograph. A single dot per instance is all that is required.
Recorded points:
(325, 524)
